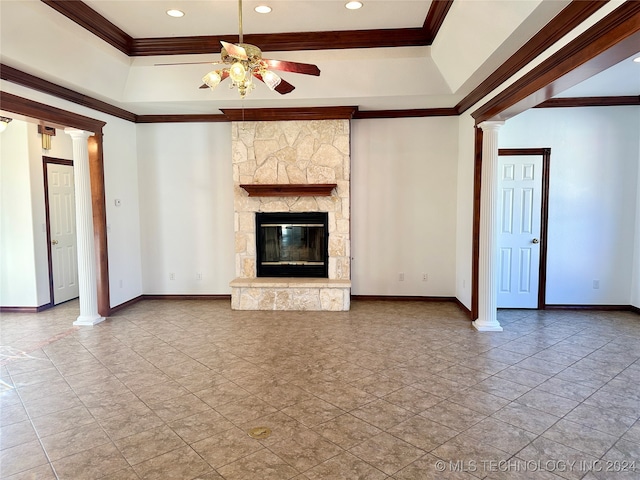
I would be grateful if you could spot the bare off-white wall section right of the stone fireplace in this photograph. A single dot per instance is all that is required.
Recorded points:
(403, 196)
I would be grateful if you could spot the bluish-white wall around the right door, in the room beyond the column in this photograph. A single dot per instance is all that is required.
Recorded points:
(592, 198)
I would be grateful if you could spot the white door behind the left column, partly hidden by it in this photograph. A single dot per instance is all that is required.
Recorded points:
(62, 217)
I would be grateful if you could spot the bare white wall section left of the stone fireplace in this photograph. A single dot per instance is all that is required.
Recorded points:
(186, 207)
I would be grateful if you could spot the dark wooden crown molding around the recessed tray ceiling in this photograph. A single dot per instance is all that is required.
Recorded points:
(86, 17)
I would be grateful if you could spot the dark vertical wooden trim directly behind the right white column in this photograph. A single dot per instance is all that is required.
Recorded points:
(475, 246)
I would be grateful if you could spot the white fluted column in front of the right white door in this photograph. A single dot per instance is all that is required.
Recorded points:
(487, 266)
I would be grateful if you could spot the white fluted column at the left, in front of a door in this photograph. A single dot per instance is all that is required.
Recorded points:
(84, 230)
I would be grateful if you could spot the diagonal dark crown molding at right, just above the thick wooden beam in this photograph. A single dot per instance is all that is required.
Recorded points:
(569, 18)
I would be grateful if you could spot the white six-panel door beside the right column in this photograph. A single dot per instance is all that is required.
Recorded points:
(519, 214)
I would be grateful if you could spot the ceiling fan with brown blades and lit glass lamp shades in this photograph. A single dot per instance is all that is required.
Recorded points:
(243, 62)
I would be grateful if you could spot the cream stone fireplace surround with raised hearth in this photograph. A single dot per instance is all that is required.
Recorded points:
(291, 152)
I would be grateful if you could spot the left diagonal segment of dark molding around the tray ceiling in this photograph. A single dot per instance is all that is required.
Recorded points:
(87, 18)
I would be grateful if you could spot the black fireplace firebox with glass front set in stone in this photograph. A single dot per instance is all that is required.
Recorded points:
(292, 244)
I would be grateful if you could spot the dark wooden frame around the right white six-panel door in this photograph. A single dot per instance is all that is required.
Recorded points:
(545, 153)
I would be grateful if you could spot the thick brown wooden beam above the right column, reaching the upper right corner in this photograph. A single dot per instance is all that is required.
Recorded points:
(610, 41)
